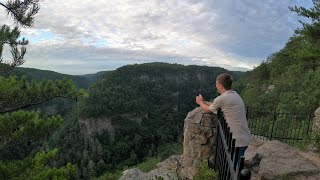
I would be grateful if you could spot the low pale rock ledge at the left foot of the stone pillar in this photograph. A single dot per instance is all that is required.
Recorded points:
(167, 169)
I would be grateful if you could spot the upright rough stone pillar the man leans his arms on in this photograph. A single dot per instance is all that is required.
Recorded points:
(198, 145)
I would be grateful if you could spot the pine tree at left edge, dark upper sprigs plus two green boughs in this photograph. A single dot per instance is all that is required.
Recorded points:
(24, 127)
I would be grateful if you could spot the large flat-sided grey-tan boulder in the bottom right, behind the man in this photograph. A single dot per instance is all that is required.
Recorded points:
(274, 160)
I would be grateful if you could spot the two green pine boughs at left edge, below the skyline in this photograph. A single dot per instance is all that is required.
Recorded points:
(22, 127)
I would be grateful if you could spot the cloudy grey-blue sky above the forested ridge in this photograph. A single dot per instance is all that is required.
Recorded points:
(82, 37)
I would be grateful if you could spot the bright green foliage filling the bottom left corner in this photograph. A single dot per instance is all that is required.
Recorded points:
(36, 168)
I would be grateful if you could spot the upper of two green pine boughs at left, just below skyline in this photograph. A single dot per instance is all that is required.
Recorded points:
(16, 94)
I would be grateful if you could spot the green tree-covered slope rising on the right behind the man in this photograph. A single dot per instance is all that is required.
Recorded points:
(293, 72)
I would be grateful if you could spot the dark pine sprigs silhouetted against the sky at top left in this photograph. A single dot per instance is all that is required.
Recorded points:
(23, 13)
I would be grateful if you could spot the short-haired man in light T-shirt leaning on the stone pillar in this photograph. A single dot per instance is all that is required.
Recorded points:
(234, 111)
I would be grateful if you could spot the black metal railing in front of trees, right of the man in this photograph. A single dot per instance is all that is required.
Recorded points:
(283, 126)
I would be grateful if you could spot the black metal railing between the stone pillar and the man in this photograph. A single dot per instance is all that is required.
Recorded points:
(224, 161)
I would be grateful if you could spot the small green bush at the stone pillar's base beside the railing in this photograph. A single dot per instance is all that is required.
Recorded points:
(205, 173)
